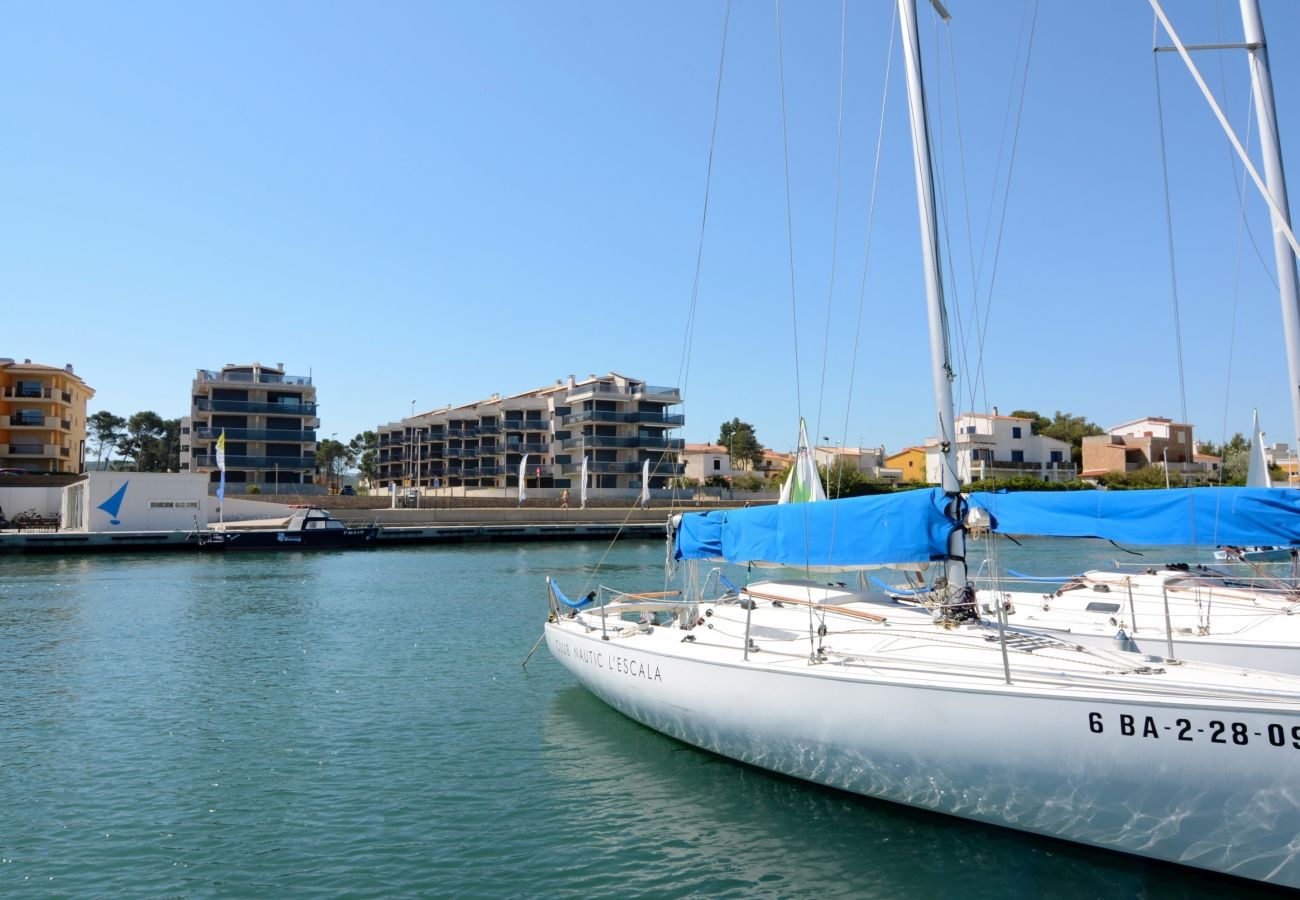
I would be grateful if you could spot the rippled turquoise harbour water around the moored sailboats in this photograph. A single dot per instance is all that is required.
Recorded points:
(361, 725)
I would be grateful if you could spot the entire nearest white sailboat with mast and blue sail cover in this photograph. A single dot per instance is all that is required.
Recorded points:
(1188, 764)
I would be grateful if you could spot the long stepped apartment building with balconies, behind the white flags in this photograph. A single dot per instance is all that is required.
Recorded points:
(618, 423)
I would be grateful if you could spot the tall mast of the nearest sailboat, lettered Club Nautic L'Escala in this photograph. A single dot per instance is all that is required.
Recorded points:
(939, 357)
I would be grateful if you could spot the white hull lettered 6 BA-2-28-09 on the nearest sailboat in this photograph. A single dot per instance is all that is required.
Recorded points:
(1067, 756)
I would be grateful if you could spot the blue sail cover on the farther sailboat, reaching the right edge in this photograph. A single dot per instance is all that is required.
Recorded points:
(1188, 517)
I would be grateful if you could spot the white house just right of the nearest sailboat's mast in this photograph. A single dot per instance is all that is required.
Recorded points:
(999, 447)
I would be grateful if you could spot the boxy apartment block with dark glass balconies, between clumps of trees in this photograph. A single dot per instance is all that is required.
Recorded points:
(270, 421)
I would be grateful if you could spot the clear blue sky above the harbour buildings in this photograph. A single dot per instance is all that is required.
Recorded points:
(439, 202)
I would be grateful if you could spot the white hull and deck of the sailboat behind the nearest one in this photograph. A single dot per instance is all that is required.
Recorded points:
(1212, 624)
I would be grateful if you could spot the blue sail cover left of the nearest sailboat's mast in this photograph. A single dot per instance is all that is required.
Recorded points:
(860, 531)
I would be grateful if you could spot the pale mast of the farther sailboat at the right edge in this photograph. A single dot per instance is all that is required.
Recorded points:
(1275, 178)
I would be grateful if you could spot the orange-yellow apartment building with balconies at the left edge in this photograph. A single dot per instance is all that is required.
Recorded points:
(42, 418)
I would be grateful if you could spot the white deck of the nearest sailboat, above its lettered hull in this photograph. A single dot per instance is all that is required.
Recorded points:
(833, 633)
